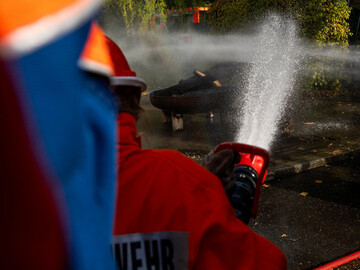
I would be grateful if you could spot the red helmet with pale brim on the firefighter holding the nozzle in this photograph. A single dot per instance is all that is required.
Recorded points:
(123, 74)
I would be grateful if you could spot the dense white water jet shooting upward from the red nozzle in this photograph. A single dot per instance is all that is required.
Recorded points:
(270, 82)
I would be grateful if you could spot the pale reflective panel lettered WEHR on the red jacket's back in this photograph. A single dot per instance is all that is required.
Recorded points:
(159, 250)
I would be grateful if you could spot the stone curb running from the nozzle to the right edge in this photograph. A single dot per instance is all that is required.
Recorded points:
(308, 165)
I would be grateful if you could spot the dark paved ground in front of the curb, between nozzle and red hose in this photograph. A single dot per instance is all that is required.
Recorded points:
(314, 216)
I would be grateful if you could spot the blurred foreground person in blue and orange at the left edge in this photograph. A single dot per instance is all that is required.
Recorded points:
(57, 146)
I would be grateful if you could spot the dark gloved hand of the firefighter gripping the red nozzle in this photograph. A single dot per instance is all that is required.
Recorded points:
(222, 165)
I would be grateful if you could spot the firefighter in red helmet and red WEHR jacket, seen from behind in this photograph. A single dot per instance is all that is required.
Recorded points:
(170, 212)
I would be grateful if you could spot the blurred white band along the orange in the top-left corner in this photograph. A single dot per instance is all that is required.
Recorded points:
(26, 39)
